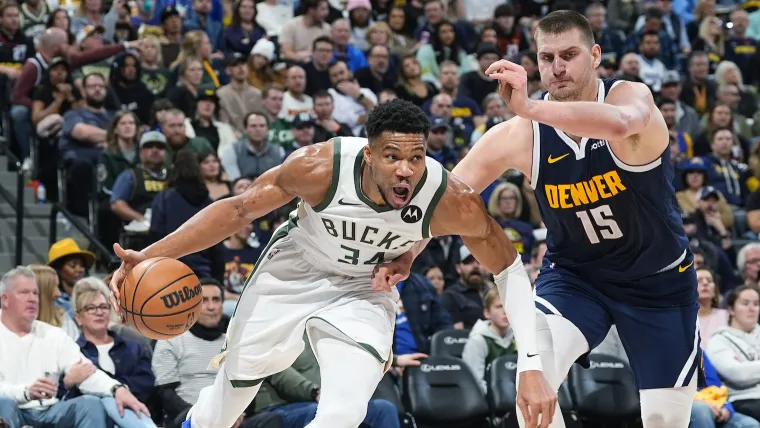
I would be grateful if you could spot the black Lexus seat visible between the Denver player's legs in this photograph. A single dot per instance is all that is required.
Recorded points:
(606, 392)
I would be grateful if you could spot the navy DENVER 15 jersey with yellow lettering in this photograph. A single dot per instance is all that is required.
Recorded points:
(610, 223)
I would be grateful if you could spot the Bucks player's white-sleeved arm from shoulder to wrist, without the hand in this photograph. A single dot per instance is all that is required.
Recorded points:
(461, 212)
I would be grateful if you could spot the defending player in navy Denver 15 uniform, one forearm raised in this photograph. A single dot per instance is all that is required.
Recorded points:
(596, 154)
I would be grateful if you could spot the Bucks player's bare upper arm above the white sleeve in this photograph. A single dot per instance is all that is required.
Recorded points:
(461, 212)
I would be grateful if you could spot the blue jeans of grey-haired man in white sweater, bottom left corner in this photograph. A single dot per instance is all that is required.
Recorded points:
(81, 412)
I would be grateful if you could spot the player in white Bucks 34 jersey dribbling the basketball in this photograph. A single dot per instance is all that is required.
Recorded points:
(362, 202)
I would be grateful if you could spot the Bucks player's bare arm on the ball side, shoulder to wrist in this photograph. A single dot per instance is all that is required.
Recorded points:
(305, 174)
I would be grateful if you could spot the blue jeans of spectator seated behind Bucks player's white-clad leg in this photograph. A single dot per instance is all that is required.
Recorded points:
(380, 414)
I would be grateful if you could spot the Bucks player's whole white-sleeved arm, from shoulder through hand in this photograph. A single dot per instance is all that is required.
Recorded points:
(461, 212)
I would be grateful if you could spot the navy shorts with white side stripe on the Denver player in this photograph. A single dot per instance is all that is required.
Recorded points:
(662, 344)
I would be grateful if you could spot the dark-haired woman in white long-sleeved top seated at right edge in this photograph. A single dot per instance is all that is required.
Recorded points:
(735, 351)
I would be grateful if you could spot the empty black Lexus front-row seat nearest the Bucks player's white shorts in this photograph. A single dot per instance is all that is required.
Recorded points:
(443, 392)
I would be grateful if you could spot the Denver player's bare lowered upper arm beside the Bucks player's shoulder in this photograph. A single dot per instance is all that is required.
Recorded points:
(505, 146)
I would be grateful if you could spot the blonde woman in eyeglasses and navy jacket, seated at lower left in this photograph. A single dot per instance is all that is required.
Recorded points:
(122, 359)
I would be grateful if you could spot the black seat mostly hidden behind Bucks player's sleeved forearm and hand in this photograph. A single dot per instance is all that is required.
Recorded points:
(502, 395)
